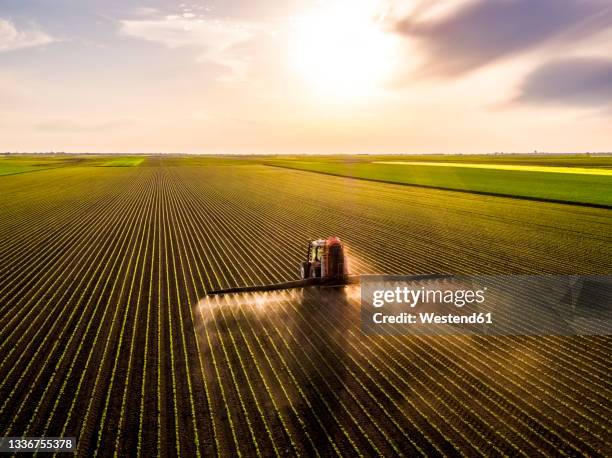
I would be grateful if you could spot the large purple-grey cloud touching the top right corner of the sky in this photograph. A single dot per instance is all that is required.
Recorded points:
(484, 31)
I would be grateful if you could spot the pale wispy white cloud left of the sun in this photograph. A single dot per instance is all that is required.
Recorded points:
(214, 40)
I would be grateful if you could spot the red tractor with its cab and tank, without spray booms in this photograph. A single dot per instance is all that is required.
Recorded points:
(325, 260)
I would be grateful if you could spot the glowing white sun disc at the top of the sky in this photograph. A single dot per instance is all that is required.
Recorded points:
(342, 48)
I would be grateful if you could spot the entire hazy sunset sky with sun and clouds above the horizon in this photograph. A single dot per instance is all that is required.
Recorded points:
(306, 76)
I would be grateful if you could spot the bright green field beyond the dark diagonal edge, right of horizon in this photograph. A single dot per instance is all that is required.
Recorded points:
(581, 182)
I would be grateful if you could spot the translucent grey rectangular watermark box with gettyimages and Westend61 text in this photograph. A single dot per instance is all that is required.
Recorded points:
(487, 304)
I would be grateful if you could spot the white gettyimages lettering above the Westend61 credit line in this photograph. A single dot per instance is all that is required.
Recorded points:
(412, 297)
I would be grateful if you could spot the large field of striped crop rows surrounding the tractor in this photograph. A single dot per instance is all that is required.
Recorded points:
(107, 333)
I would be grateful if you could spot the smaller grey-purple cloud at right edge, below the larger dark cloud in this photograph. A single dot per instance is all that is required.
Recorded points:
(576, 81)
